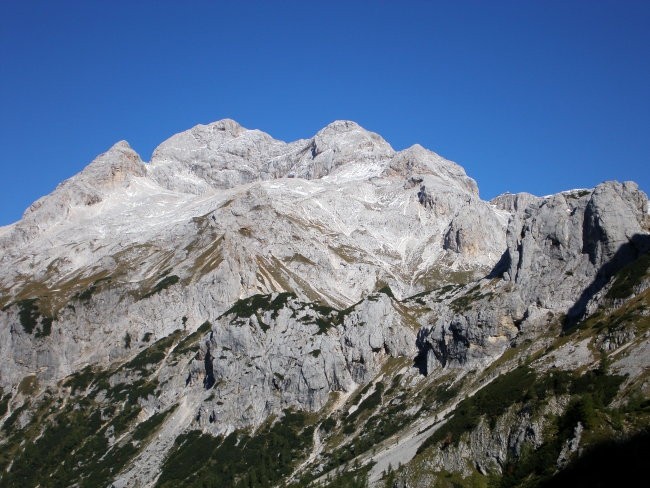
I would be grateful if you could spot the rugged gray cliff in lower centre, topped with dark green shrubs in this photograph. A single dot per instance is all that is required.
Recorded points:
(275, 352)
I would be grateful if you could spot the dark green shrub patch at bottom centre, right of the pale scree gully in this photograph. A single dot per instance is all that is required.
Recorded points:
(239, 460)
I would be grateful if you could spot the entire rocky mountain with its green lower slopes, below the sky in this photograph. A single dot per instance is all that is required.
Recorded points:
(245, 312)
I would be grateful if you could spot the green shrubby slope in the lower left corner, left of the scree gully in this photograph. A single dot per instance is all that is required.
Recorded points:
(65, 443)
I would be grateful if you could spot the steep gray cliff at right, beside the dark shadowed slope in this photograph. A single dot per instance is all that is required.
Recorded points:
(561, 250)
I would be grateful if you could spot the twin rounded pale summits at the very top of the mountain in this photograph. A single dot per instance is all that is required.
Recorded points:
(223, 155)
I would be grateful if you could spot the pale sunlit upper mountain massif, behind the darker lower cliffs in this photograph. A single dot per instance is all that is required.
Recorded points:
(229, 212)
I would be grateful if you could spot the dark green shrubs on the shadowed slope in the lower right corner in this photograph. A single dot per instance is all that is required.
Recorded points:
(589, 396)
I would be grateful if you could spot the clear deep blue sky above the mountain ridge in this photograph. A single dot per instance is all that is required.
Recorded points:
(536, 96)
